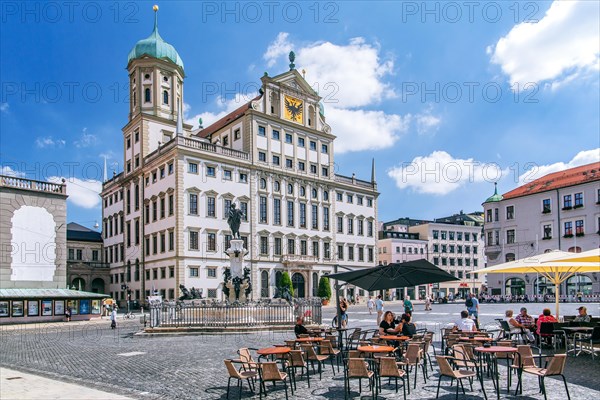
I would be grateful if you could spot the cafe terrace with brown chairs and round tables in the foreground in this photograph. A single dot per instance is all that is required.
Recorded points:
(358, 363)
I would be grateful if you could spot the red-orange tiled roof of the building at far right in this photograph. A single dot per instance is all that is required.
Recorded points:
(556, 180)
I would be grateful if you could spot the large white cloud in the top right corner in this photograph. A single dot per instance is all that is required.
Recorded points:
(562, 46)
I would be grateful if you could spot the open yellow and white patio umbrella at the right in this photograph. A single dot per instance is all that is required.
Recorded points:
(556, 266)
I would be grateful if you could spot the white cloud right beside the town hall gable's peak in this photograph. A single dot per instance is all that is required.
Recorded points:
(347, 76)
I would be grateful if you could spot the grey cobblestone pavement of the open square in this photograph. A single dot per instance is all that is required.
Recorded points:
(191, 366)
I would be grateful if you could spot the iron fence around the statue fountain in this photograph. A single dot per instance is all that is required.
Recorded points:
(213, 314)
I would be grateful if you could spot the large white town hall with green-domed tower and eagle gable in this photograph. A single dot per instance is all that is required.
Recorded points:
(165, 215)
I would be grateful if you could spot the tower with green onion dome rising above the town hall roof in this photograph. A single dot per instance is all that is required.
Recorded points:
(155, 99)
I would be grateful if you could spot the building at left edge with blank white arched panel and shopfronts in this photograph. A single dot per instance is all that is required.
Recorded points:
(33, 255)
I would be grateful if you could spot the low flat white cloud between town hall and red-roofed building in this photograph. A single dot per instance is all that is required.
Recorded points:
(439, 173)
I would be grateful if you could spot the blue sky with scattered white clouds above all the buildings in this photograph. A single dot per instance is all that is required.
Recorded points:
(448, 97)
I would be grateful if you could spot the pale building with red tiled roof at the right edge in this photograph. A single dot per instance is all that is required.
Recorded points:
(559, 211)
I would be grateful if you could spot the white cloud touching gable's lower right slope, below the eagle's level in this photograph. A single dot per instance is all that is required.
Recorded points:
(359, 130)
